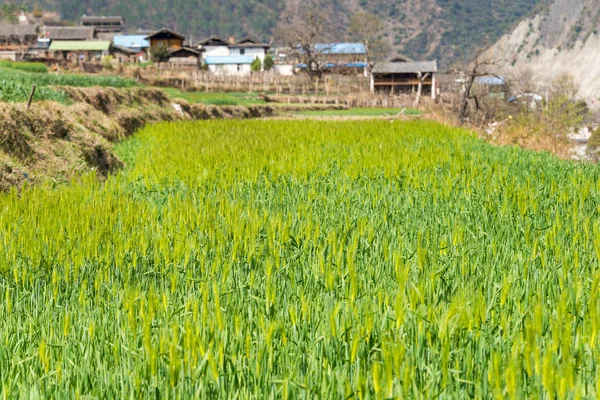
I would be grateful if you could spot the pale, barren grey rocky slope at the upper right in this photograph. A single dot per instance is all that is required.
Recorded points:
(562, 38)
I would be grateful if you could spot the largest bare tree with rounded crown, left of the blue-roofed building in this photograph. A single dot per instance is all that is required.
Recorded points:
(301, 29)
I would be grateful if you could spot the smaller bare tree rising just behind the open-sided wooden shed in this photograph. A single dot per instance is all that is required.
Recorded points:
(366, 28)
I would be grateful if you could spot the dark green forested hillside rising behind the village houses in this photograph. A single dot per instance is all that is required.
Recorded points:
(445, 29)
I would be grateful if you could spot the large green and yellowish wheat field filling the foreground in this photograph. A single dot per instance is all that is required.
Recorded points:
(305, 259)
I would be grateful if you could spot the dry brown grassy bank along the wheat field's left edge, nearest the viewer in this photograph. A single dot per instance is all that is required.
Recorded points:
(50, 141)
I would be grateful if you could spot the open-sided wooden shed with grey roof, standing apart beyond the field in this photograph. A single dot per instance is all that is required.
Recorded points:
(401, 76)
